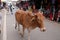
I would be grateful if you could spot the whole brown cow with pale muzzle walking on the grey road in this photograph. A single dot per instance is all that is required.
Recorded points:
(29, 21)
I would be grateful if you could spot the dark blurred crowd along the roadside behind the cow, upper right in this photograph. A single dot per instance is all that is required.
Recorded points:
(50, 8)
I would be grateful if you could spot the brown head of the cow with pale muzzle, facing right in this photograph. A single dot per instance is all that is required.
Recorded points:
(39, 20)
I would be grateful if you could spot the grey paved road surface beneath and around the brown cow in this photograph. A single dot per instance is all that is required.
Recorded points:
(52, 33)
